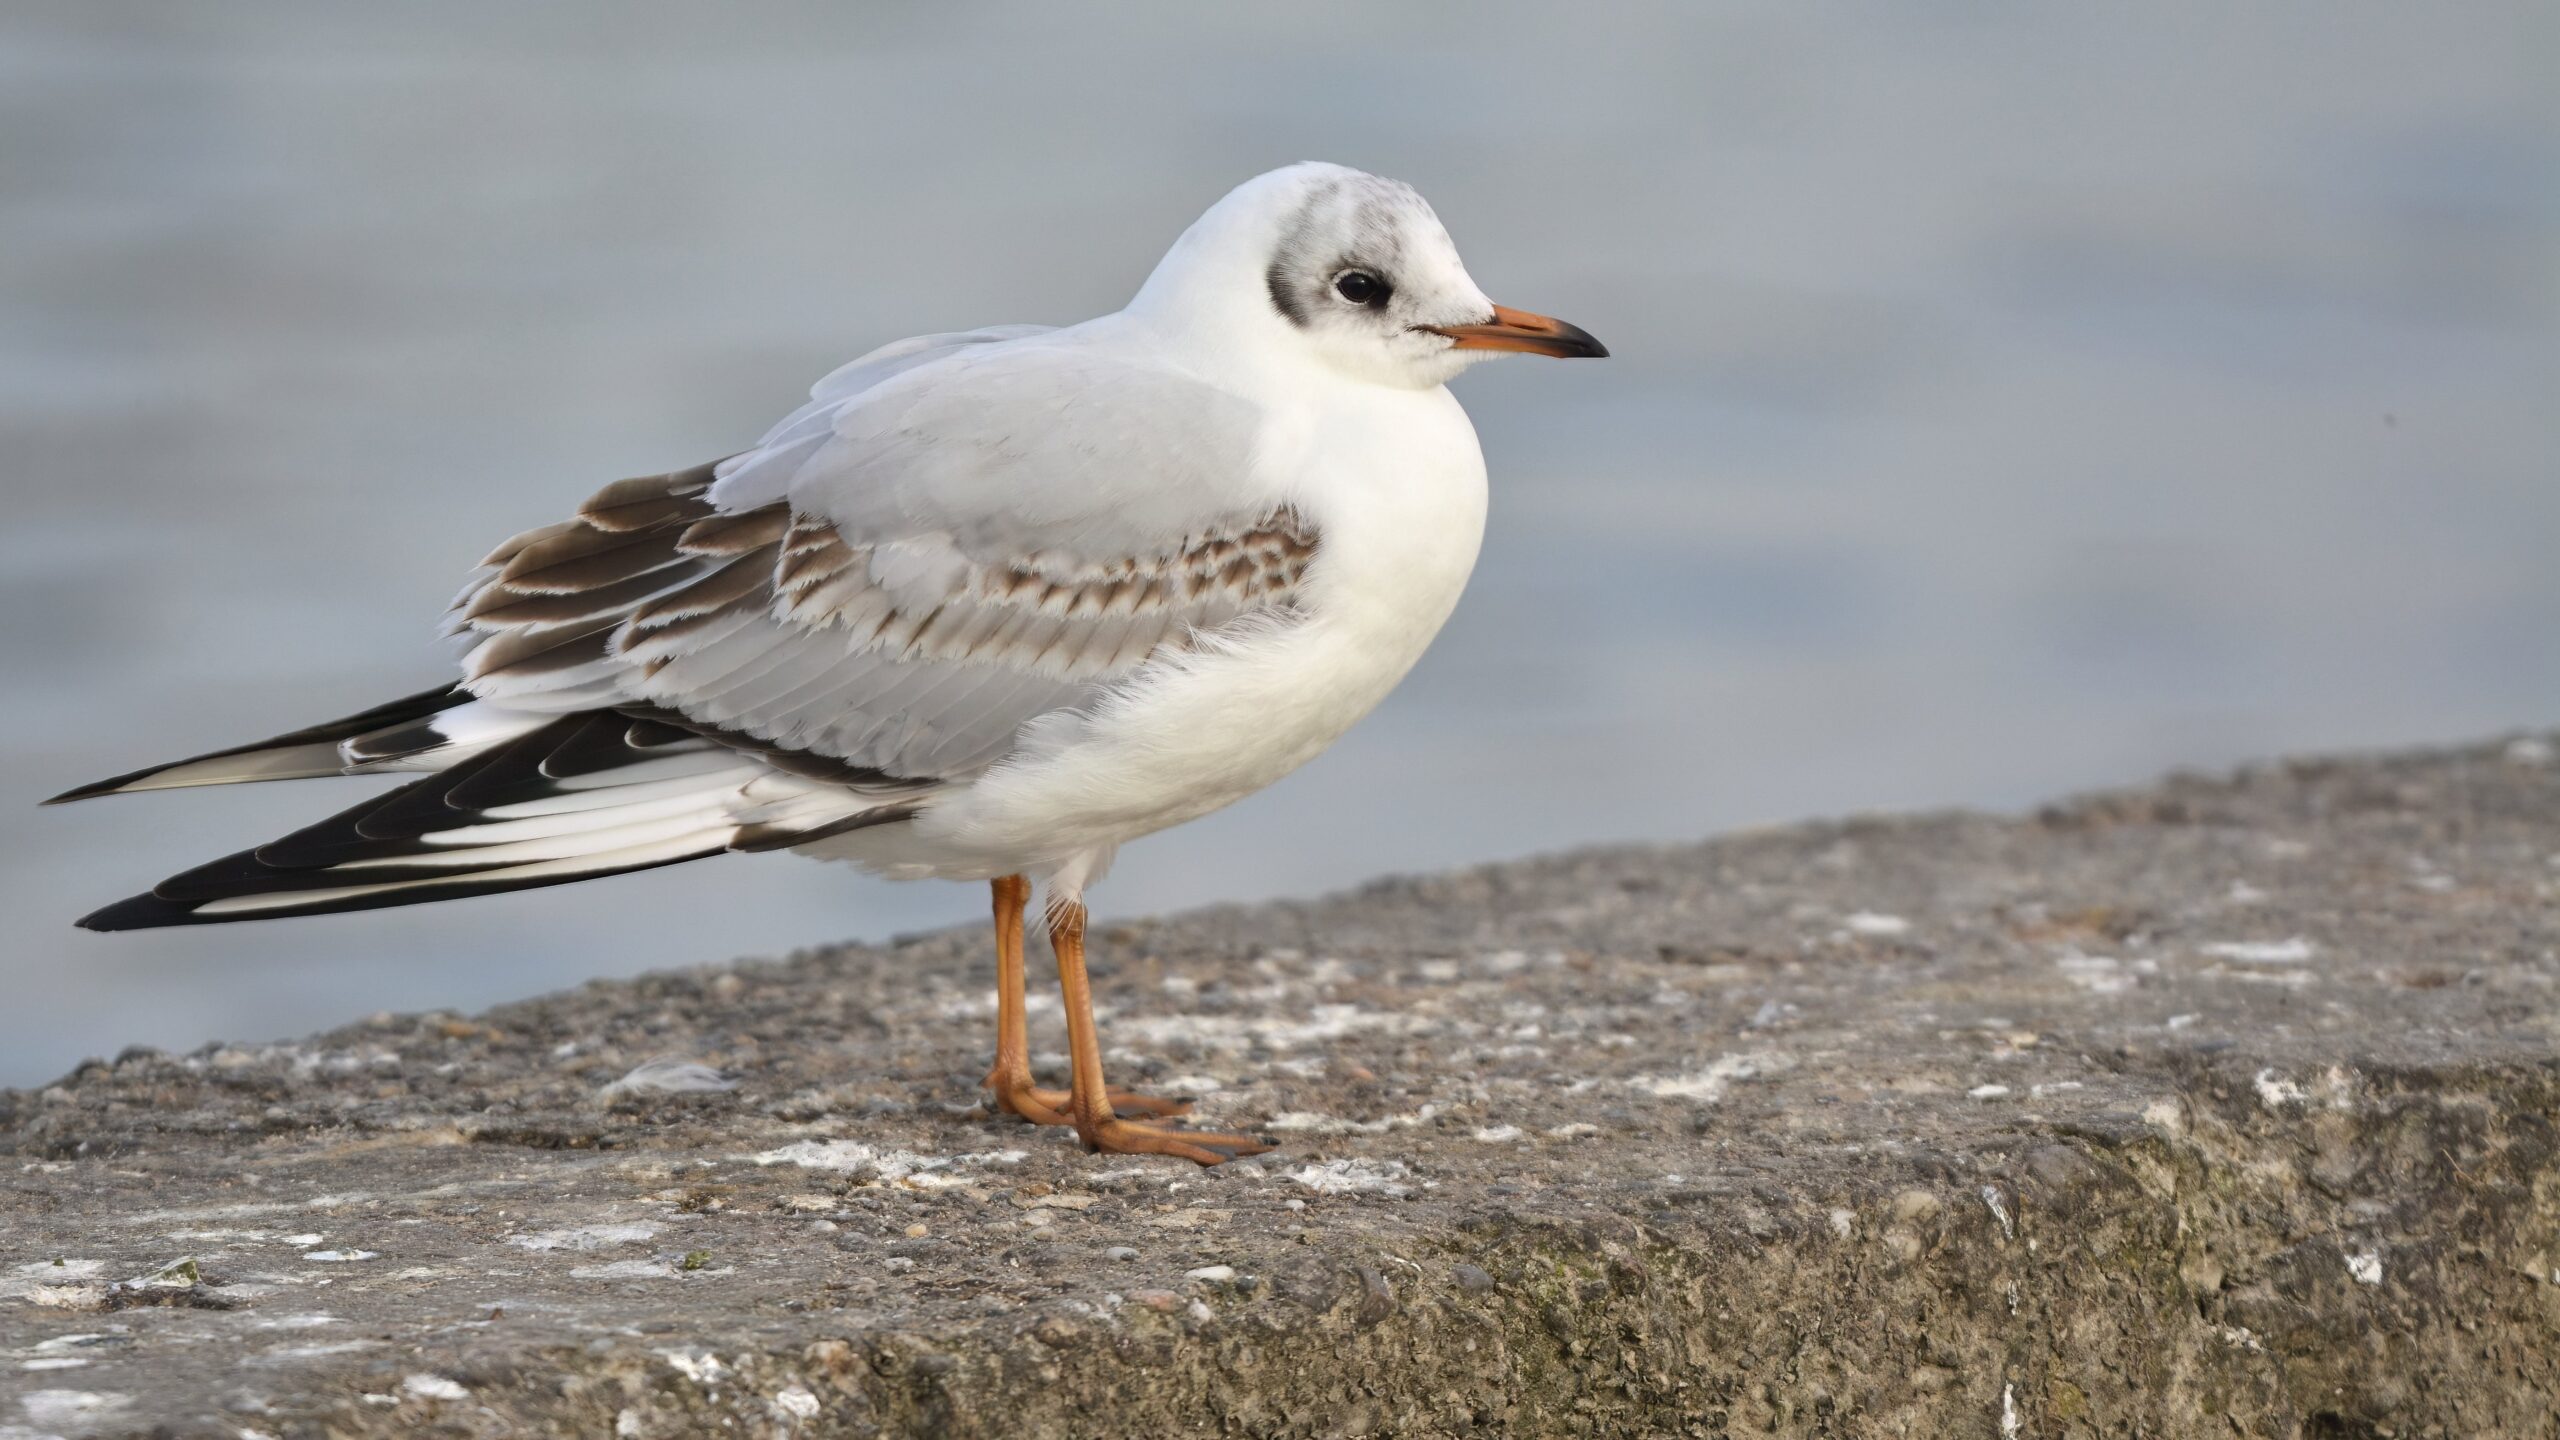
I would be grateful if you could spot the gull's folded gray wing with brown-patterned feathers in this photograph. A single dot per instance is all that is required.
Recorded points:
(874, 621)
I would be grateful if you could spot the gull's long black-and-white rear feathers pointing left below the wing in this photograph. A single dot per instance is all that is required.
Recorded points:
(570, 798)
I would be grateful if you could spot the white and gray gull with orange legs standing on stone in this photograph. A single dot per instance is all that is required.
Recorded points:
(987, 609)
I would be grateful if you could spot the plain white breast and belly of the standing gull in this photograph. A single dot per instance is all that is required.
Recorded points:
(1396, 488)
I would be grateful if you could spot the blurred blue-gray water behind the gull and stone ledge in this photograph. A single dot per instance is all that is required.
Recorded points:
(2006, 398)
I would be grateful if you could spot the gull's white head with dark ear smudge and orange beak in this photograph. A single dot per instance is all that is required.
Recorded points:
(1348, 270)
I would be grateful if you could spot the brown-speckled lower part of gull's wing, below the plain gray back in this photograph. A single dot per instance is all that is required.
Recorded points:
(782, 634)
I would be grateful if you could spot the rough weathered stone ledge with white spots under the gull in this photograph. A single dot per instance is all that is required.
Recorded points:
(2221, 1108)
